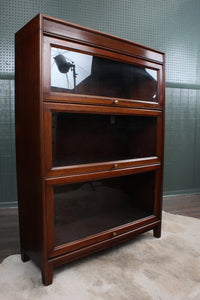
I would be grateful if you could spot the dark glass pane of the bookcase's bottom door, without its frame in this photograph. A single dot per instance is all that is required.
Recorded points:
(87, 208)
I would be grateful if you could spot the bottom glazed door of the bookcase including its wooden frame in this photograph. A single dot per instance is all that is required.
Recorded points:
(97, 208)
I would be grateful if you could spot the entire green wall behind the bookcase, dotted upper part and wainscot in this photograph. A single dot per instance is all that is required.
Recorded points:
(169, 25)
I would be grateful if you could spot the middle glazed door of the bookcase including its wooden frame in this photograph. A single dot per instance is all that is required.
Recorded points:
(82, 138)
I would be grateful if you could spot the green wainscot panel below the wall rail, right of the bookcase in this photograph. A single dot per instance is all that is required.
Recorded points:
(182, 141)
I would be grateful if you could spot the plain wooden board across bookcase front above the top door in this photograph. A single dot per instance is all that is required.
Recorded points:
(72, 32)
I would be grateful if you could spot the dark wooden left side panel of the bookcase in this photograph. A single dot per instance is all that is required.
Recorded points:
(29, 124)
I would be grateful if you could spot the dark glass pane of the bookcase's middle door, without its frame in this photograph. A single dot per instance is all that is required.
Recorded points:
(87, 138)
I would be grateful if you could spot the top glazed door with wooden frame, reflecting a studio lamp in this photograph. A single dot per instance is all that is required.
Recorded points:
(78, 73)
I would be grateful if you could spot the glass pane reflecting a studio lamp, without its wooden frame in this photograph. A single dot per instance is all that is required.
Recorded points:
(79, 73)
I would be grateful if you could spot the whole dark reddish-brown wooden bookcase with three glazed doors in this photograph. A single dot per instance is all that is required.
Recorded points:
(89, 141)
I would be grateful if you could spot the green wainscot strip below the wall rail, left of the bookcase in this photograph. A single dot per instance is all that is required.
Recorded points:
(8, 189)
